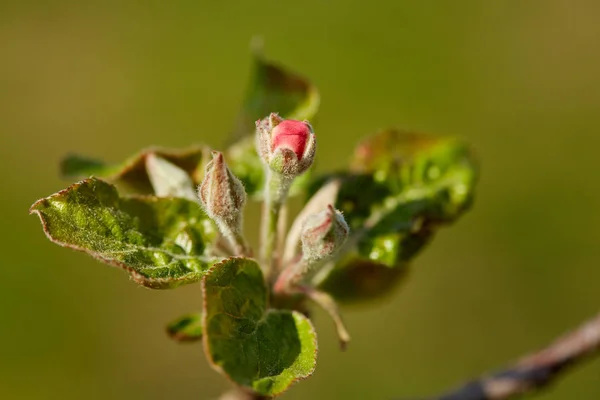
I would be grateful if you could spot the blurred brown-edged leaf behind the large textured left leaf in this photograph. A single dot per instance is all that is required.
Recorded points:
(134, 175)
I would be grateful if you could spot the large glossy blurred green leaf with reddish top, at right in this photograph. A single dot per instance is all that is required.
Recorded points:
(402, 187)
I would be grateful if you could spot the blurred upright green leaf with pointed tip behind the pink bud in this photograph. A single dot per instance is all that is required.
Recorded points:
(273, 88)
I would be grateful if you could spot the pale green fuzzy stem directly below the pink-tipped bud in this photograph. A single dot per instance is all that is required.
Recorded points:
(276, 189)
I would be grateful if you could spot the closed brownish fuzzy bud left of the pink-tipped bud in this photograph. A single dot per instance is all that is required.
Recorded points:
(222, 194)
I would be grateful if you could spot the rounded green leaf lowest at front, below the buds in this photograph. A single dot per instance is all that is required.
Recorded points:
(265, 350)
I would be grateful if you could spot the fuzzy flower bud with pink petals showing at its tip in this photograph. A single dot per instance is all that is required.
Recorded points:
(286, 146)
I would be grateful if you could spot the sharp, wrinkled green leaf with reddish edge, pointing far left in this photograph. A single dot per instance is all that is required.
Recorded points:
(161, 242)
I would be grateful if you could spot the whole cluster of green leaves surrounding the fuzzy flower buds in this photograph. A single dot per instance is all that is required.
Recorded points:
(143, 216)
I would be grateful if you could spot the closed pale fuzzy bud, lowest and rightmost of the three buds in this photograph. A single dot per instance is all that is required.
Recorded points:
(323, 234)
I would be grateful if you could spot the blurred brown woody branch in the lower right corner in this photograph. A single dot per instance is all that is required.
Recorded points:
(536, 370)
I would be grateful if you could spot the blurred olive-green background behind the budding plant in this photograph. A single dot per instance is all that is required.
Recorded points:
(519, 80)
